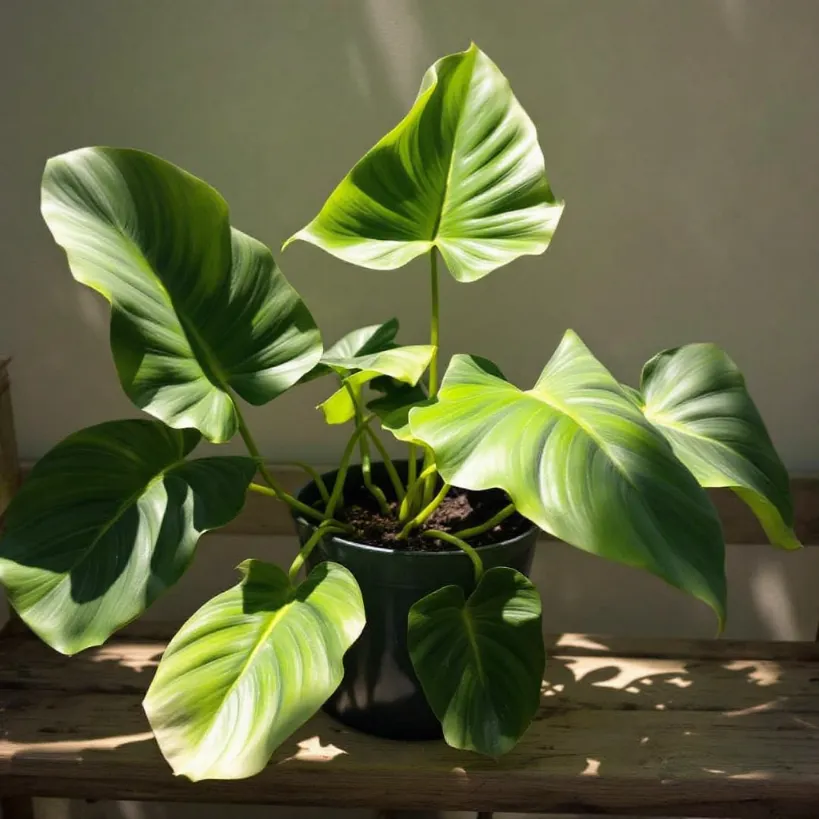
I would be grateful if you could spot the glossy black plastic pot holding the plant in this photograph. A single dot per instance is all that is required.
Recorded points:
(380, 693)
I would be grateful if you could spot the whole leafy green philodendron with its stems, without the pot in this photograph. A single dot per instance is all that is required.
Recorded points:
(202, 320)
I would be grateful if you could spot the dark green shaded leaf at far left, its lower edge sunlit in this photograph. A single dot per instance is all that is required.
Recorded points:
(107, 521)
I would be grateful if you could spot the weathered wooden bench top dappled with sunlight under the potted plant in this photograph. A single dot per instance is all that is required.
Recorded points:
(671, 728)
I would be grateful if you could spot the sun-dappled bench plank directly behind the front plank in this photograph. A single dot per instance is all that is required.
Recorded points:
(581, 673)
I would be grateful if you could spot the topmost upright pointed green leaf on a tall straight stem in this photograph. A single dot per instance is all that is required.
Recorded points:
(462, 172)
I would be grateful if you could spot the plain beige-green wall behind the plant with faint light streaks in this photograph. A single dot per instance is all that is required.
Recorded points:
(682, 135)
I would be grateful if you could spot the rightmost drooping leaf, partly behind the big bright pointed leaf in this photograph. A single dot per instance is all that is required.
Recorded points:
(697, 398)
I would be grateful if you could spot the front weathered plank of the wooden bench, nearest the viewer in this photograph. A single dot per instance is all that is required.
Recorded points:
(604, 761)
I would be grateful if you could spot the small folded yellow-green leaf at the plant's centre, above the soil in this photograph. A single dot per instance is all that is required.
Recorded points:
(403, 364)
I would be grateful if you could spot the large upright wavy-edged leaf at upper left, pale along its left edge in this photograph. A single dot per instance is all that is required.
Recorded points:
(198, 311)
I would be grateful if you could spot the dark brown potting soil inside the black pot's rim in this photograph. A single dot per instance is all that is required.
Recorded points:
(461, 509)
